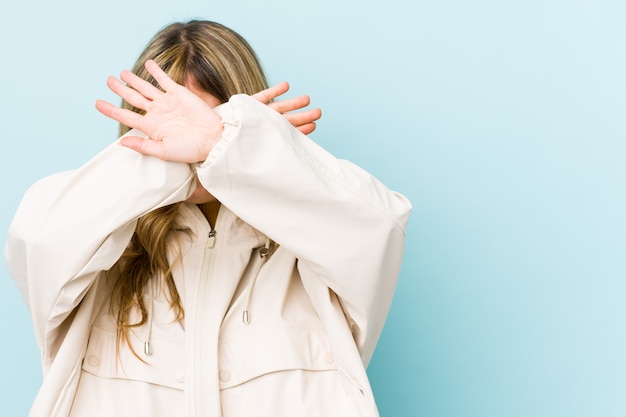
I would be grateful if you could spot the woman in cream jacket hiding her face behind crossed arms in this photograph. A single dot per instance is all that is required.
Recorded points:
(218, 263)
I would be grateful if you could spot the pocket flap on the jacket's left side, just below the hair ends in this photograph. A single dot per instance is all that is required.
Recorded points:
(165, 366)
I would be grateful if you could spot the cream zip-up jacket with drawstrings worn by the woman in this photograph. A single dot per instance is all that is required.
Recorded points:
(283, 335)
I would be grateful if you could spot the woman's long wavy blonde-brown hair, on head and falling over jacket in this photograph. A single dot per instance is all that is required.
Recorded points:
(221, 62)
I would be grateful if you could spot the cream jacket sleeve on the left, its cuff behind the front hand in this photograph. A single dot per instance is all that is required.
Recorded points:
(73, 225)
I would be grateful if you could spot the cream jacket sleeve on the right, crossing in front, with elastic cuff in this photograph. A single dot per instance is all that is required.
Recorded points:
(340, 222)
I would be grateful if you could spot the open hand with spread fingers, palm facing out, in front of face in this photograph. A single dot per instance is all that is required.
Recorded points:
(182, 126)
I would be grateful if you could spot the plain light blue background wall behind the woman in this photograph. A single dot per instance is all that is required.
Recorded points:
(502, 121)
